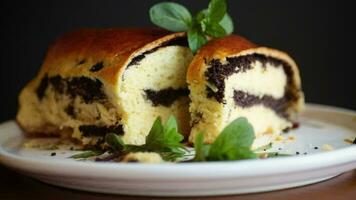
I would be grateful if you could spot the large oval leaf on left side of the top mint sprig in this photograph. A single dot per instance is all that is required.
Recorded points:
(170, 16)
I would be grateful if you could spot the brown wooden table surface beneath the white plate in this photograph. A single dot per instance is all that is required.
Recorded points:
(16, 186)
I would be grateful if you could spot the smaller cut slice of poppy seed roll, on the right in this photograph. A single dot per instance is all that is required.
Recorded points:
(232, 77)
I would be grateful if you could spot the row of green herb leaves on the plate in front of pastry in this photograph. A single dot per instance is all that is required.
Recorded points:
(233, 143)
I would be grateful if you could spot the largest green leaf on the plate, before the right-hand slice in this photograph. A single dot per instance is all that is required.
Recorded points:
(234, 142)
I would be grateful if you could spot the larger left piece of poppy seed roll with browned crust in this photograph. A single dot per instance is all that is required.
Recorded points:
(94, 82)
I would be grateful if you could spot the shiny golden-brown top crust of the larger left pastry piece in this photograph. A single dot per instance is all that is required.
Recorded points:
(112, 46)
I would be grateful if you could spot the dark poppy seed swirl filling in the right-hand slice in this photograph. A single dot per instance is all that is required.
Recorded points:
(217, 73)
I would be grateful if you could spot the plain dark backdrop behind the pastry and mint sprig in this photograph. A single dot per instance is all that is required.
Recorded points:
(317, 34)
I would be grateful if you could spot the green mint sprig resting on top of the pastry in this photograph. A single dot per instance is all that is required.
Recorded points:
(211, 22)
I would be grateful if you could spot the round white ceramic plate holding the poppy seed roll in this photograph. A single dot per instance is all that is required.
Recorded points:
(319, 125)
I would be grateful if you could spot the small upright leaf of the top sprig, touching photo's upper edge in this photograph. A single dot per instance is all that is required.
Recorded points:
(216, 10)
